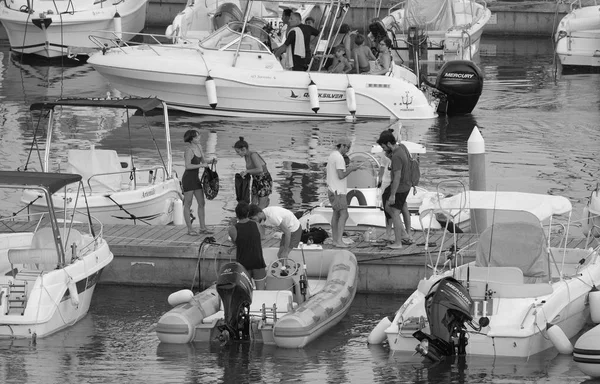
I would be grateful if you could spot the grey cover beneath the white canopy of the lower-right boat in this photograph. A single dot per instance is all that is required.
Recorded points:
(515, 244)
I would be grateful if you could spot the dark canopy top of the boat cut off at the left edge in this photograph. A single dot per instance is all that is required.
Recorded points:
(51, 181)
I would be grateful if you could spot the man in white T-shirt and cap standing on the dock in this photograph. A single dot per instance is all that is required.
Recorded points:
(336, 188)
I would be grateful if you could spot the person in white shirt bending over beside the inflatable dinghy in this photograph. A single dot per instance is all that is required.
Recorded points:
(282, 219)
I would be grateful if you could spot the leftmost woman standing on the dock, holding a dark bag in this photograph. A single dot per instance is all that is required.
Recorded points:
(190, 182)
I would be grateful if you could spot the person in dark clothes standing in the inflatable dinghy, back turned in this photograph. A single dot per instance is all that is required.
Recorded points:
(246, 236)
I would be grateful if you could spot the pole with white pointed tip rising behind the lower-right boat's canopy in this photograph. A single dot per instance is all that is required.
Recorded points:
(476, 152)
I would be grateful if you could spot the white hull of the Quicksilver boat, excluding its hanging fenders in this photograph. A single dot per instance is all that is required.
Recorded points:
(253, 88)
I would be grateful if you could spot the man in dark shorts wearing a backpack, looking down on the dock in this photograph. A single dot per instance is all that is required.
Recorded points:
(397, 192)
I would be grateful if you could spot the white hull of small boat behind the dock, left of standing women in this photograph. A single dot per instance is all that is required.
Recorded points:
(151, 204)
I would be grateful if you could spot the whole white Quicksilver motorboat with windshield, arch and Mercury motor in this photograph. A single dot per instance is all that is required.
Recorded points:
(234, 73)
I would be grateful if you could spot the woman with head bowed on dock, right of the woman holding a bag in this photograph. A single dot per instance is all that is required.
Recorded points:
(262, 183)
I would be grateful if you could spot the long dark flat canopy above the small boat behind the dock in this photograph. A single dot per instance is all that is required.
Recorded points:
(143, 104)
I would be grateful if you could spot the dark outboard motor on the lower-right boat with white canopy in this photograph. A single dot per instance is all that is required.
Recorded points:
(448, 306)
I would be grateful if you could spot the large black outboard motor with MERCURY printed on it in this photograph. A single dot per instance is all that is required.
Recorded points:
(461, 83)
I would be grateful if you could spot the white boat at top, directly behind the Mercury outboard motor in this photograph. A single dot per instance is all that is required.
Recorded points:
(435, 30)
